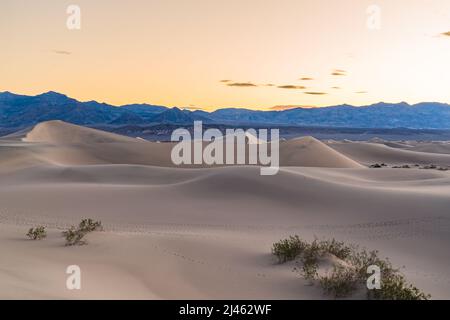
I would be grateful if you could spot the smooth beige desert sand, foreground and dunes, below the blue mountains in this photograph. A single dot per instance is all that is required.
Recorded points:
(206, 233)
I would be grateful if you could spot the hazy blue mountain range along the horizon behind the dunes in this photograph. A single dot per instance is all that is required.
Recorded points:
(20, 111)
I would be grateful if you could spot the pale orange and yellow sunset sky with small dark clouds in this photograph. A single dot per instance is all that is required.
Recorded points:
(210, 54)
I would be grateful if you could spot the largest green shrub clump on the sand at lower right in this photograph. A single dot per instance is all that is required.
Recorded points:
(346, 278)
